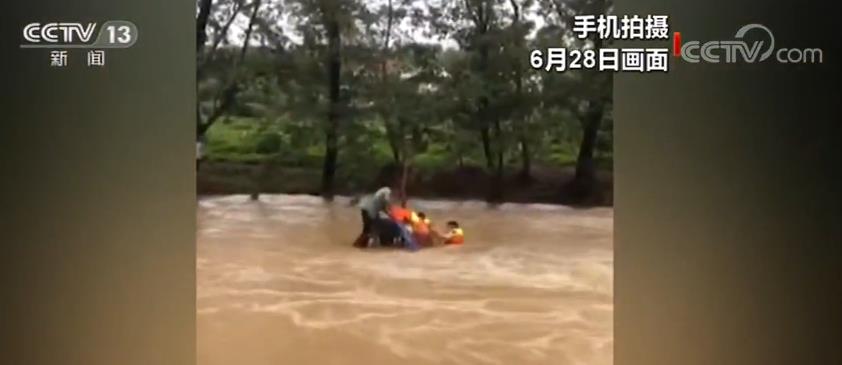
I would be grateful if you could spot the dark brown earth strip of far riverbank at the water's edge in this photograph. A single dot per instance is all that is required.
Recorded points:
(549, 185)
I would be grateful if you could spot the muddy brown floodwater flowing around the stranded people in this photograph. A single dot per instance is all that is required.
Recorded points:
(279, 283)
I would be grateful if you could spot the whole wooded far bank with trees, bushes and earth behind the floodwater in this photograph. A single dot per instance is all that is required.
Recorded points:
(360, 99)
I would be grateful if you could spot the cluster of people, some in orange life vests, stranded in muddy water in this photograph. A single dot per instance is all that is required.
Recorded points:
(388, 224)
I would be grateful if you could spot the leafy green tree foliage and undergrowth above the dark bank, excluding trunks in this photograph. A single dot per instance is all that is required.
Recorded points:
(401, 98)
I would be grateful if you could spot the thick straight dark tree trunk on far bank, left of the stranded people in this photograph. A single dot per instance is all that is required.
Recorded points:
(334, 65)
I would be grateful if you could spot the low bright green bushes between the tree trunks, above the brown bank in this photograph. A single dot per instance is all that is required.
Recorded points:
(363, 151)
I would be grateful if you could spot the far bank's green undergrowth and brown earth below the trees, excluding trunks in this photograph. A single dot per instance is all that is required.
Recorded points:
(245, 156)
